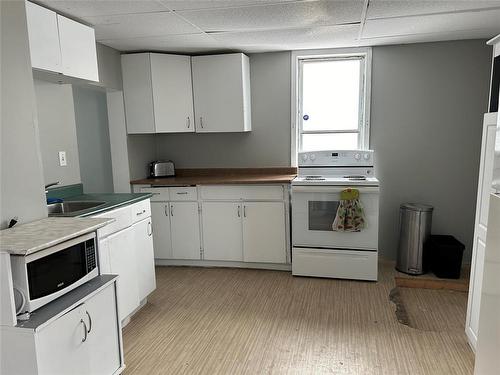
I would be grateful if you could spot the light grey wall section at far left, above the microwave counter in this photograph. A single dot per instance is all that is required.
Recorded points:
(21, 180)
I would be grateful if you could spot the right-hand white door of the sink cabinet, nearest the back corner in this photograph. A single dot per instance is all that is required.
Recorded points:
(144, 257)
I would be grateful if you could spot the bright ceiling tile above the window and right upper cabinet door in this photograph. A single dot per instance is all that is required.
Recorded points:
(281, 40)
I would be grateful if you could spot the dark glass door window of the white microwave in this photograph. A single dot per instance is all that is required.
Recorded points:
(56, 271)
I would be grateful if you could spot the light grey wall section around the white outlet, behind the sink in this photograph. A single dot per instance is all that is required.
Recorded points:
(56, 120)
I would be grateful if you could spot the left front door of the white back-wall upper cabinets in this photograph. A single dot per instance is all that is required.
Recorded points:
(172, 93)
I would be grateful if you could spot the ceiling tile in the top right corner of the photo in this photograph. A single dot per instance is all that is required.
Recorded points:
(390, 8)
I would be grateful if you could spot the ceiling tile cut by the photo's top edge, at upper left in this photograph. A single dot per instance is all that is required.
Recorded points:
(82, 8)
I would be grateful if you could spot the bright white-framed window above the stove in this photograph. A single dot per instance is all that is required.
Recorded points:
(331, 100)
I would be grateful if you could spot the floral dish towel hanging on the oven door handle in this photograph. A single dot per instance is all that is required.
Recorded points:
(350, 215)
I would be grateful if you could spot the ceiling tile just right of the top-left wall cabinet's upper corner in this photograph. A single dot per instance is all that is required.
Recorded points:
(139, 25)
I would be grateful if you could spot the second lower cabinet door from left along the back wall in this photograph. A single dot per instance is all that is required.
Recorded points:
(185, 230)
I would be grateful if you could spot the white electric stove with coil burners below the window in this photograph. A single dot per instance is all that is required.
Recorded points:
(318, 250)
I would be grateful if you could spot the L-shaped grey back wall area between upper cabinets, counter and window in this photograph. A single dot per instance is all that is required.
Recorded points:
(267, 145)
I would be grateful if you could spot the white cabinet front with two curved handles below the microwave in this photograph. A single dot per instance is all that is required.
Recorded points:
(85, 340)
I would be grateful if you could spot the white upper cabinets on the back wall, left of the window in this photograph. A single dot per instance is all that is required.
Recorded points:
(172, 93)
